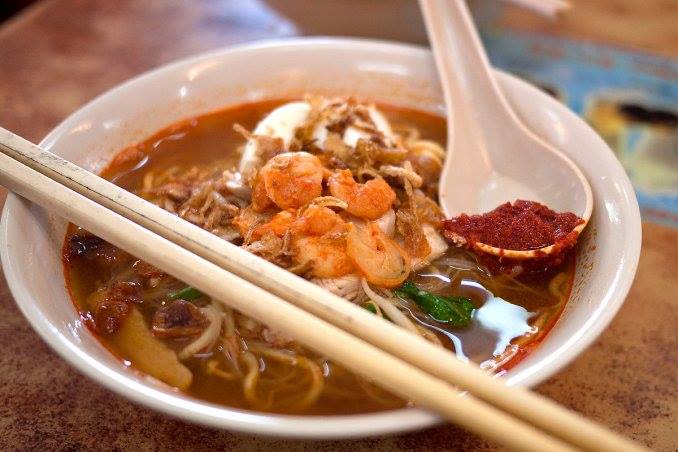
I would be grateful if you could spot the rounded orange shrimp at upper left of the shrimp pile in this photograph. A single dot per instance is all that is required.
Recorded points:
(290, 180)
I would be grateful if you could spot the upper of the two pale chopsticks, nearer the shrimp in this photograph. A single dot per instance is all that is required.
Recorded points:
(440, 363)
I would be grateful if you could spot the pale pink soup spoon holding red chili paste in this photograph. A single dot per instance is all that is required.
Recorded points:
(492, 157)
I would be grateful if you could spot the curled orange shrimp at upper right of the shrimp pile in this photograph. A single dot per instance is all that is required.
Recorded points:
(370, 200)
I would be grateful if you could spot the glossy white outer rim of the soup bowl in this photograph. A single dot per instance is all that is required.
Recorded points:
(289, 426)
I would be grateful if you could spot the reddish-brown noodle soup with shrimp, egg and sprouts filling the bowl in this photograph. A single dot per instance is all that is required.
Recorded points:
(345, 196)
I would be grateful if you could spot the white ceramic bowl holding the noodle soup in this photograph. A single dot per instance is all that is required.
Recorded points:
(394, 73)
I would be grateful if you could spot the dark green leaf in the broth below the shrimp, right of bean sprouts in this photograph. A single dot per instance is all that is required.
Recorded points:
(456, 311)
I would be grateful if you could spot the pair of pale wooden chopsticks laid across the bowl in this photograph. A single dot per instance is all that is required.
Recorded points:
(178, 236)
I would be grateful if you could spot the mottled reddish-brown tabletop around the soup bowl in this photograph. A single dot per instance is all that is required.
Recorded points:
(61, 53)
